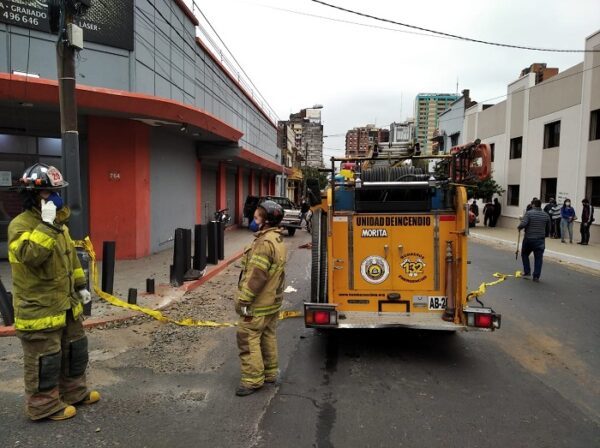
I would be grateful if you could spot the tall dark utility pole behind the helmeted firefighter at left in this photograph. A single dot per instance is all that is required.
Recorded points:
(70, 40)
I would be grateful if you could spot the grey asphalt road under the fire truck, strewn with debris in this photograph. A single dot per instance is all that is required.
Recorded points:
(534, 383)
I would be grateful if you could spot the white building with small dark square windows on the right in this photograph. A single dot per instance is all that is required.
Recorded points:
(546, 138)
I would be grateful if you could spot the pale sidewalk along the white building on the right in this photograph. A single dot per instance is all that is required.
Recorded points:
(586, 256)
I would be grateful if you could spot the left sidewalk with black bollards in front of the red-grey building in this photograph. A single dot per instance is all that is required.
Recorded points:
(133, 274)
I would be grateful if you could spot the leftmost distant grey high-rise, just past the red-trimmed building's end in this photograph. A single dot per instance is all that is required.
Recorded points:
(309, 135)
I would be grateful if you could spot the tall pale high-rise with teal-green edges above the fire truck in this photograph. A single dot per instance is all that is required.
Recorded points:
(428, 107)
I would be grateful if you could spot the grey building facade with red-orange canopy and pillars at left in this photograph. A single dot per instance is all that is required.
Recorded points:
(168, 134)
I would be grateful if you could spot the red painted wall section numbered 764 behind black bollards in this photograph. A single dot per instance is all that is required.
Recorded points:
(119, 170)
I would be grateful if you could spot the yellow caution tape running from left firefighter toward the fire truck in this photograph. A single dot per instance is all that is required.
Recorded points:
(87, 245)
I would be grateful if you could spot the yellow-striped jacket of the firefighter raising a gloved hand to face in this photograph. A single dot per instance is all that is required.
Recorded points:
(45, 271)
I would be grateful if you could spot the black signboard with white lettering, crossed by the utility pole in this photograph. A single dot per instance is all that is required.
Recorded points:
(107, 22)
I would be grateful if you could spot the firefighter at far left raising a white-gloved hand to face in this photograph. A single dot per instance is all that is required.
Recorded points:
(49, 289)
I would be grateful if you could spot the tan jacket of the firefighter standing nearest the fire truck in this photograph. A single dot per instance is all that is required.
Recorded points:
(261, 281)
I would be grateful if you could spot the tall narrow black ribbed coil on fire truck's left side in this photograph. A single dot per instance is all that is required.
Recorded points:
(318, 280)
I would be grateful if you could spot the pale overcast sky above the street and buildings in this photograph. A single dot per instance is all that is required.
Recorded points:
(366, 75)
